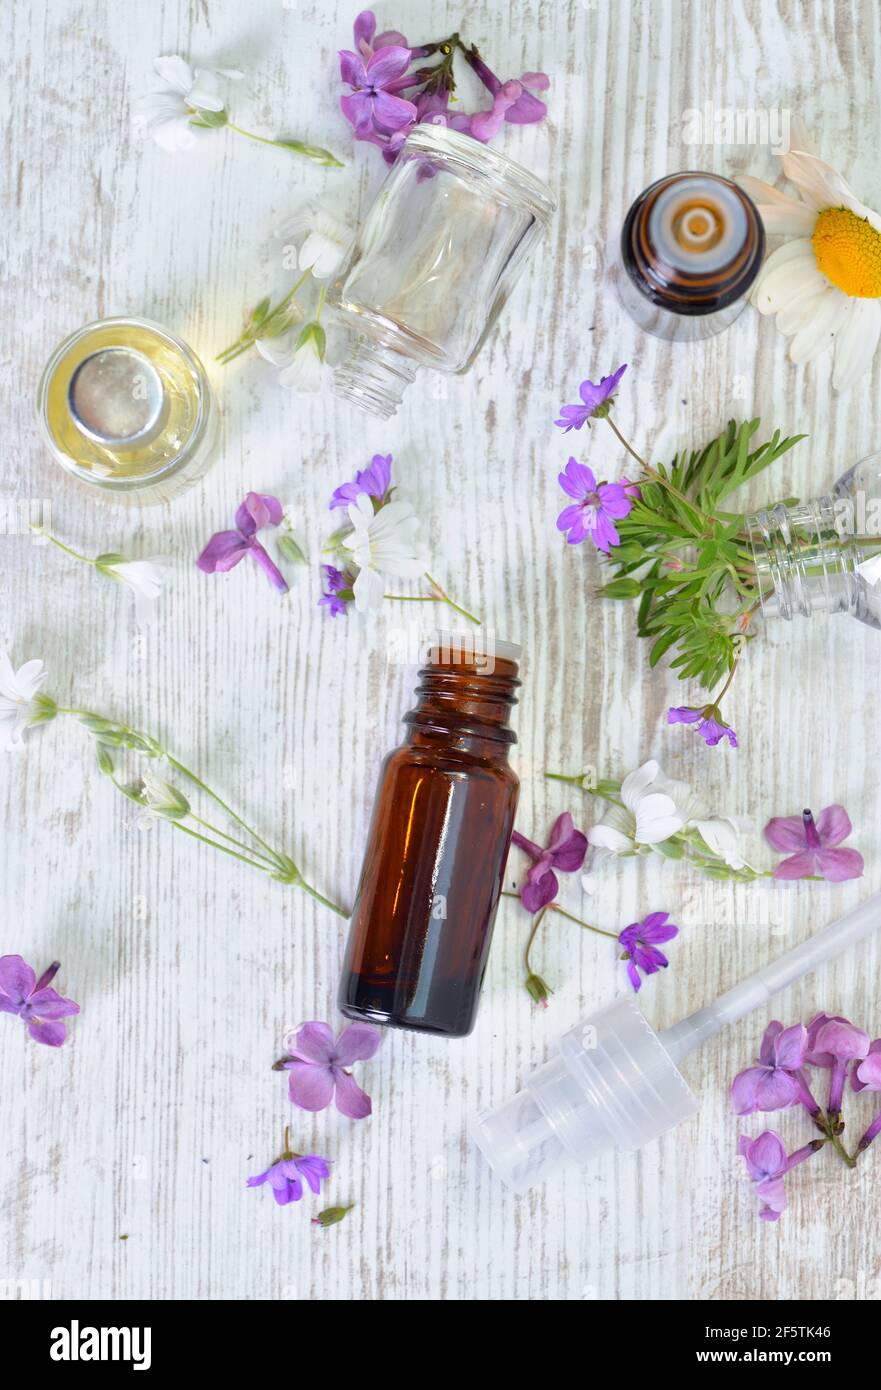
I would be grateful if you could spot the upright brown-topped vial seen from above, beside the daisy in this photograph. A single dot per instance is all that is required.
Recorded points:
(693, 245)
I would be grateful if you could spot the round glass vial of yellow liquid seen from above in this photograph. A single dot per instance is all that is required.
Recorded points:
(127, 408)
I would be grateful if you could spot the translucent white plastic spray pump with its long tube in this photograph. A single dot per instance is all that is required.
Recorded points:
(615, 1082)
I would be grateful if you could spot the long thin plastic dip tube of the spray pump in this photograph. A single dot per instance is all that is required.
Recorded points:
(752, 993)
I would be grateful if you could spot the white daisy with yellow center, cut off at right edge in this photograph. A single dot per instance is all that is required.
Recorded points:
(825, 284)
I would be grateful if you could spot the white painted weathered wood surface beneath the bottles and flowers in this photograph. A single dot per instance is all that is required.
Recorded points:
(148, 1124)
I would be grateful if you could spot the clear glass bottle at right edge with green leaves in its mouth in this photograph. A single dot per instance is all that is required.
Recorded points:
(823, 555)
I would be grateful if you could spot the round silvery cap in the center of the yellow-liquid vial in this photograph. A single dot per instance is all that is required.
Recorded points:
(117, 400)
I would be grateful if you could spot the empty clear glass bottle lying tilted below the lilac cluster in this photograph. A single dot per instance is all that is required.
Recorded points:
(433, 265)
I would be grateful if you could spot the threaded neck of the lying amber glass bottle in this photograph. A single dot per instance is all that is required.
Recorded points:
(466, 707)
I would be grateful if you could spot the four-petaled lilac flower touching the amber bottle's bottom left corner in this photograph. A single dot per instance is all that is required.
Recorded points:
(318, 1068)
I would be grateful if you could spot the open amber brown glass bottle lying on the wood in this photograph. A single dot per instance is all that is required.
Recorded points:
(437, 849)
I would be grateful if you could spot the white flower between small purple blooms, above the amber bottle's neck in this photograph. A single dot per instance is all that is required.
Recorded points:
(384, 543)
